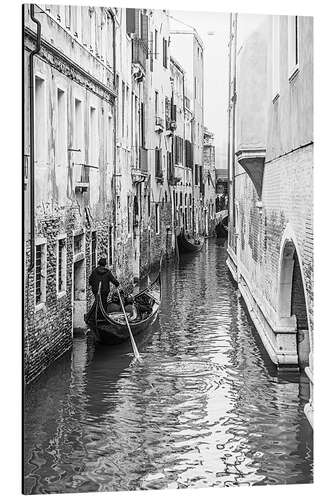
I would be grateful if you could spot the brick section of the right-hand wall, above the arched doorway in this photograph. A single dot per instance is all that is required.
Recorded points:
(287, 200)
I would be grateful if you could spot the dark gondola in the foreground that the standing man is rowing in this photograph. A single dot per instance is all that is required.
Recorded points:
(112, 328)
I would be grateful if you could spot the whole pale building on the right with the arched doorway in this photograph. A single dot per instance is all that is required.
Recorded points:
(270, 166)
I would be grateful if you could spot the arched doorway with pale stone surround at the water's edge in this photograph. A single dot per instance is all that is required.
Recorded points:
(292, 301)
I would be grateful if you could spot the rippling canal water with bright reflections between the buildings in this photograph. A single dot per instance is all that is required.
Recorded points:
(204, 408)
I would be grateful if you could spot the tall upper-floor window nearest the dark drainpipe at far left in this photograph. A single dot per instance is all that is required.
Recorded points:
(40, 120)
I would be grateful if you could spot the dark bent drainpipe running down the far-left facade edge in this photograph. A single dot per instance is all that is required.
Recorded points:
(32, 137)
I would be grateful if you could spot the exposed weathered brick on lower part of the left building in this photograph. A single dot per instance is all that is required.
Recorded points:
(48, 331)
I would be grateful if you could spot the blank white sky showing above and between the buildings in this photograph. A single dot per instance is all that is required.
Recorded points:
(216, 65)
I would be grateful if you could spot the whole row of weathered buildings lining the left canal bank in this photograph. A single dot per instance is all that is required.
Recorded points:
(108, 127)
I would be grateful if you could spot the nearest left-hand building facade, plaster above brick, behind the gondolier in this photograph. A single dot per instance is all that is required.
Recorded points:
(69, 165)
